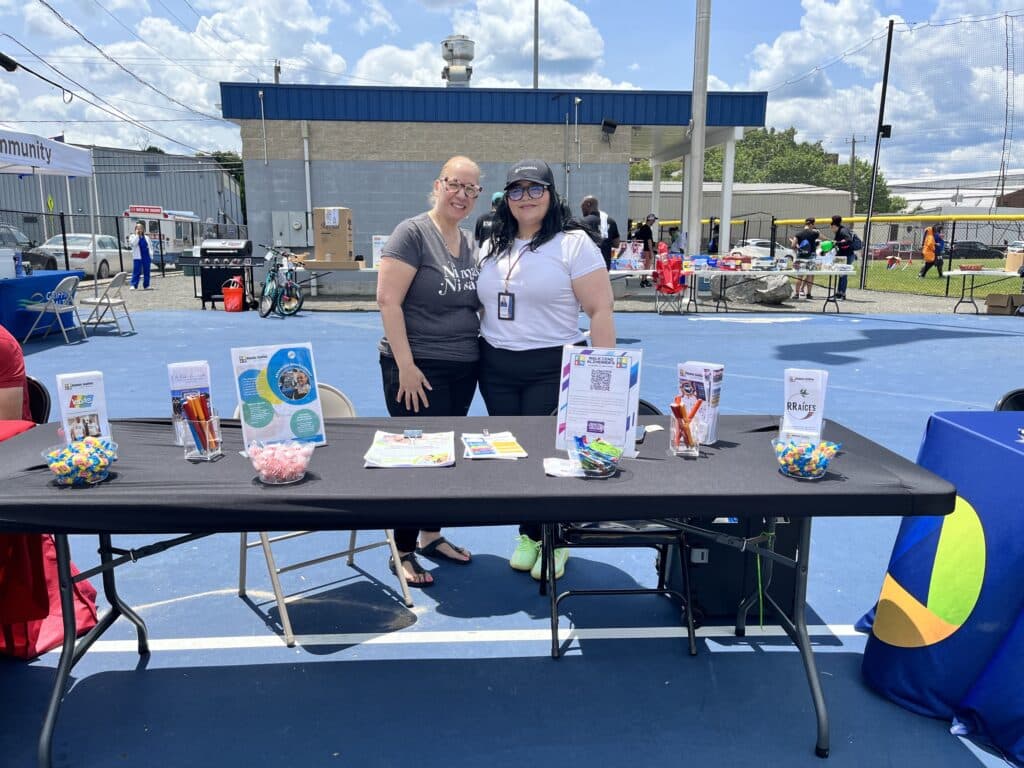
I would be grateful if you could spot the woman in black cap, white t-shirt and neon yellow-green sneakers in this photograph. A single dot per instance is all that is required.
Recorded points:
(538, 270)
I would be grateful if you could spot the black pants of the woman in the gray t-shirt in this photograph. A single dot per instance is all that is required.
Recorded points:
(454, 385)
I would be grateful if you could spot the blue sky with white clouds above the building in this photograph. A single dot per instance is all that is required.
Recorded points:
(820, 61)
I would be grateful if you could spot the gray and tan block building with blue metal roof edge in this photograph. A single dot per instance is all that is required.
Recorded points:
(377, 151)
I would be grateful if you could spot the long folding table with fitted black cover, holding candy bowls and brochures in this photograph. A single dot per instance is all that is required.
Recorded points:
(153, 491)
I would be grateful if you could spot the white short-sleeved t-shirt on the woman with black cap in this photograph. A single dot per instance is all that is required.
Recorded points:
(546, 309)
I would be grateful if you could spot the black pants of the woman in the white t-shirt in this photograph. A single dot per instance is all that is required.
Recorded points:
(521, 385)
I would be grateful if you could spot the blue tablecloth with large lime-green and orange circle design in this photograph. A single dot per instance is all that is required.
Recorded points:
(948, 638)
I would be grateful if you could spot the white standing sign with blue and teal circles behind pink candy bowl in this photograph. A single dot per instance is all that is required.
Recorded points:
(277, 388)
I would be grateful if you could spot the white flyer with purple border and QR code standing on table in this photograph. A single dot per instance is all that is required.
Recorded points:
(600, 397)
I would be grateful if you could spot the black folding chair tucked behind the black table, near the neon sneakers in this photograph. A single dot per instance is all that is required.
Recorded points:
(628, 534)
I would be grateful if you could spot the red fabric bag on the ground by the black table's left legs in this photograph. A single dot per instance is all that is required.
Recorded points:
(28, 639)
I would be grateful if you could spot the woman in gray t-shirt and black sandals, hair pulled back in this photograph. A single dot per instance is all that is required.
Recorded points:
(426, 291)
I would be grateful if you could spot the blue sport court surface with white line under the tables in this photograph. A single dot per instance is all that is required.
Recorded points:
(465, 677)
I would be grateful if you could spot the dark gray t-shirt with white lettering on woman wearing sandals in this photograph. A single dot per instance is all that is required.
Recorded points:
(441, 307)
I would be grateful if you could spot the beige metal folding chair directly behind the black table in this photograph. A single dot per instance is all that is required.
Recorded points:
(335, 406)
